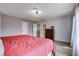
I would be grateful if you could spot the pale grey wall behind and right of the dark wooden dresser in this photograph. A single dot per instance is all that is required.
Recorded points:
(62, 25)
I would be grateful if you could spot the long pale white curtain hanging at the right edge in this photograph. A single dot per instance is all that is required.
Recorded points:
(75, 33)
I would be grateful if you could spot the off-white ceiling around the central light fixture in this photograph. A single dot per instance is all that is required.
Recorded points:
(49, 10)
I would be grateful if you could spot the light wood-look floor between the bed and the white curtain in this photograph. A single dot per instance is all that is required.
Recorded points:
(63, 49)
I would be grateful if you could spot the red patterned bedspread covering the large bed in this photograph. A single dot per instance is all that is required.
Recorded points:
(26, 45)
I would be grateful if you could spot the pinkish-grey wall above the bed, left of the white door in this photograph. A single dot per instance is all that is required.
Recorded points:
(10, 25)
